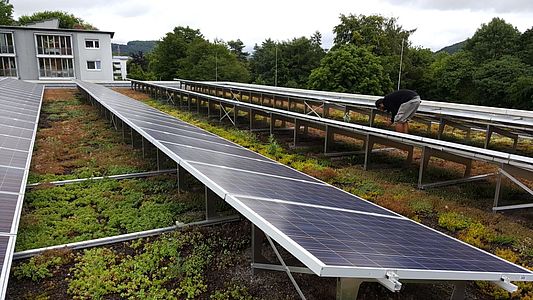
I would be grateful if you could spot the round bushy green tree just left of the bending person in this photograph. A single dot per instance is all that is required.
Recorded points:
(351, 69)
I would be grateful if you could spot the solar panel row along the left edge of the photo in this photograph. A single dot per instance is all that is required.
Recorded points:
(20, 104)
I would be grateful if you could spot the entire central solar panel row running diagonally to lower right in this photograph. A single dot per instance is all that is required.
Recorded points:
(334, 233)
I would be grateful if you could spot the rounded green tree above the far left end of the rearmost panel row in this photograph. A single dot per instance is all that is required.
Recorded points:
(208, 61)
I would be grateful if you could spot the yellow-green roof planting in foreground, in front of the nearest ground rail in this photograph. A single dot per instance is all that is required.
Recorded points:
(172, 266)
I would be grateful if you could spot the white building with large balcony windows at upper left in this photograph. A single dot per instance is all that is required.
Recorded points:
(43, 51)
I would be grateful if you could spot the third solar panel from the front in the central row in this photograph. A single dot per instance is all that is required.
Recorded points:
(227, 160)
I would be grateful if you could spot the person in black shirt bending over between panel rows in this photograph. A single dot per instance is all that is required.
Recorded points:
(402, 105)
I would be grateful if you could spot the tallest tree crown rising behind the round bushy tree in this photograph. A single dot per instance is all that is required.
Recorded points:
(383, 36)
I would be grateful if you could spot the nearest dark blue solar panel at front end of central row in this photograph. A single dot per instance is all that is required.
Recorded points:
(340, 238)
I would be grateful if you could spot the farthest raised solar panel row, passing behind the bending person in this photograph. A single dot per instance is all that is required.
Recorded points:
(510, 123)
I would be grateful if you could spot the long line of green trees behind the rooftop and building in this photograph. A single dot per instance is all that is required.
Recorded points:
(494, 67)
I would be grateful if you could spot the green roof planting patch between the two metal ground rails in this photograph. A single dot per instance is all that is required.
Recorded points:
(89, 210)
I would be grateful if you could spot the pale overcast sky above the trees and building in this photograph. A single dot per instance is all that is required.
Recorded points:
(438, 23)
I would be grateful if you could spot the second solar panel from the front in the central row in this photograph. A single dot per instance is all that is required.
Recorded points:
(257, 185)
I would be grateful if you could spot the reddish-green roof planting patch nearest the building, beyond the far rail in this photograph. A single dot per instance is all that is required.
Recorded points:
(73, 141)
